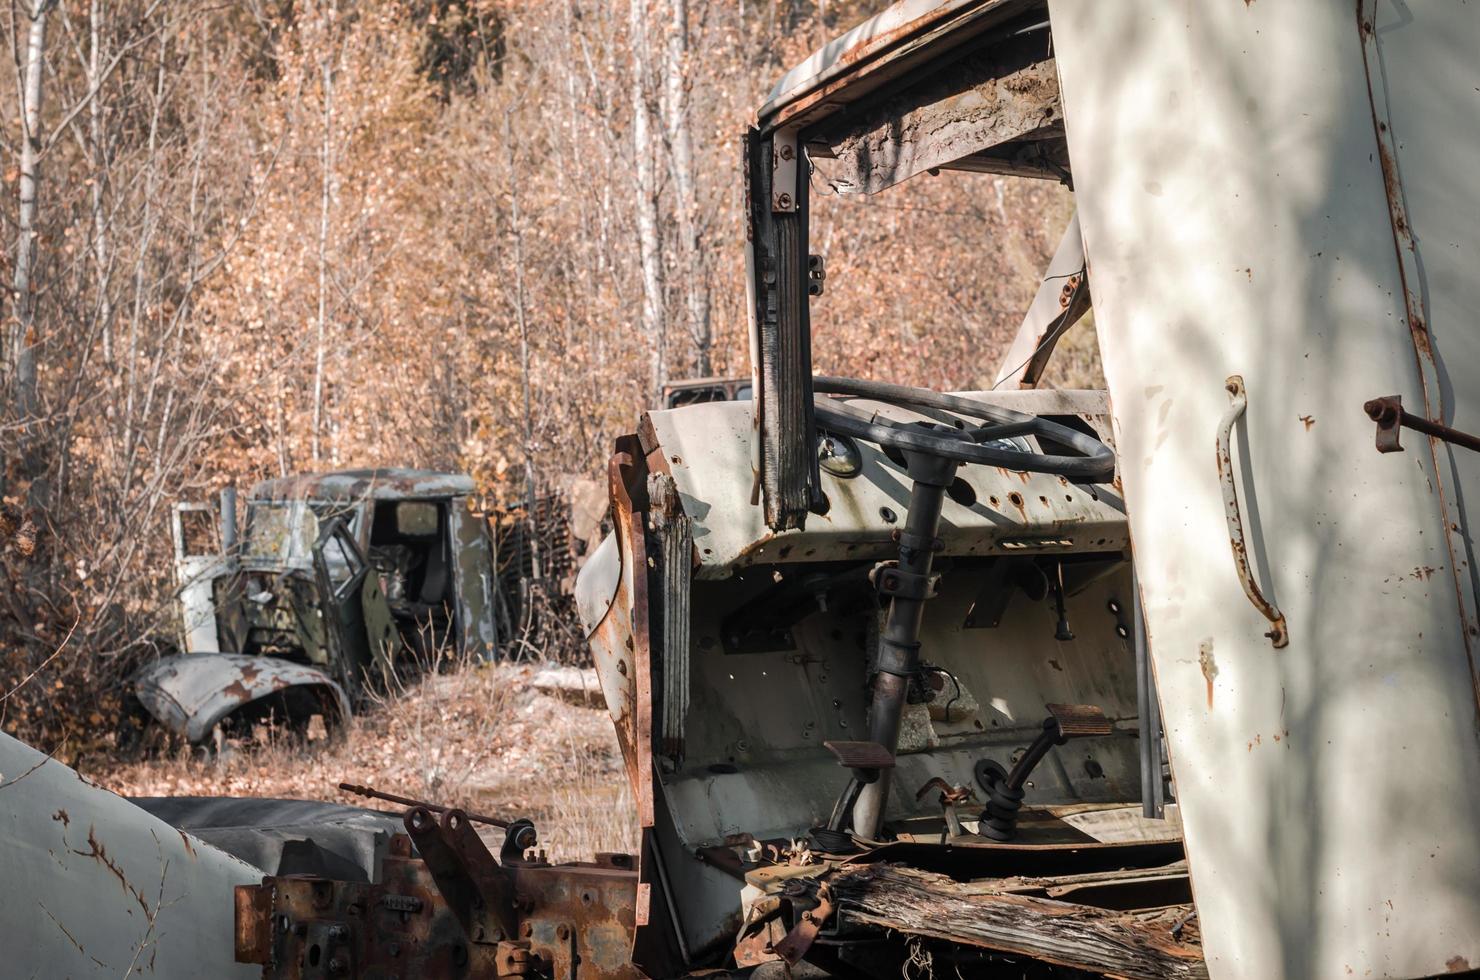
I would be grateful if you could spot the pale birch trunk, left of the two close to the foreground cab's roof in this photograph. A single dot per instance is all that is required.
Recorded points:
(647, 211)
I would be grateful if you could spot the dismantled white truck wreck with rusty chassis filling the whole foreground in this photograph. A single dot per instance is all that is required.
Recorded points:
(1171, 680)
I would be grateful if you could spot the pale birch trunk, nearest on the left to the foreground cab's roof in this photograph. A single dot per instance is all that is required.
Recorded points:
(682, 167)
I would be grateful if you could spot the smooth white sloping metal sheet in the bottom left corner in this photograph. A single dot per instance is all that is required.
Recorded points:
(97, 887)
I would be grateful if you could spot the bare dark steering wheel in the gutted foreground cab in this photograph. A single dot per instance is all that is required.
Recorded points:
(952, 437)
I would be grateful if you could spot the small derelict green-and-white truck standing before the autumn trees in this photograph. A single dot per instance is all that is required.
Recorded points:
(335, 578)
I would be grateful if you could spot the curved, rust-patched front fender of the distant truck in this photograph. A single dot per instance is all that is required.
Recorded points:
(192, 694)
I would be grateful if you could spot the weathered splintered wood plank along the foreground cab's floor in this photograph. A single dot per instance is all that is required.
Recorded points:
(923, 904)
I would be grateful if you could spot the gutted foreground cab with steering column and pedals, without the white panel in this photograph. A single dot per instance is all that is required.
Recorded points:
(874, 654)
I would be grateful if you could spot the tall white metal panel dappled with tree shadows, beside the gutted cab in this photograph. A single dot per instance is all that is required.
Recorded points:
(1231, 187)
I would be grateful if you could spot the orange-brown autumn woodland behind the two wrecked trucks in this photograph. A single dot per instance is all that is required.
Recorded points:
(275, 236)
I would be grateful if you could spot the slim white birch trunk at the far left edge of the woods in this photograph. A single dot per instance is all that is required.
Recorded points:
(23, 326)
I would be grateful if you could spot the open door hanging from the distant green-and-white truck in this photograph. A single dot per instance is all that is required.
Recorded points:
(357, 621)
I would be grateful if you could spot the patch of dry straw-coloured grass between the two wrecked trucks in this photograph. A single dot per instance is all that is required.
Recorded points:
(474, 736)
